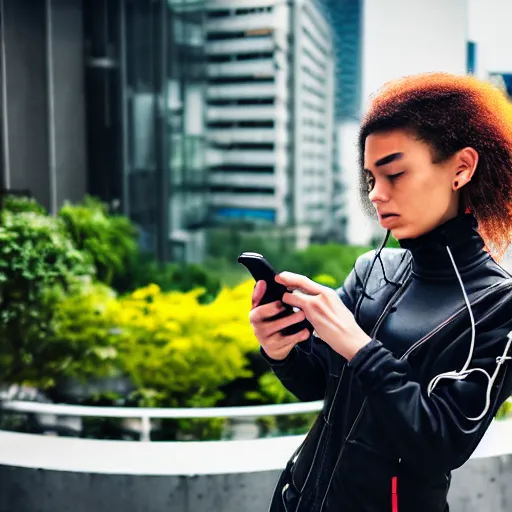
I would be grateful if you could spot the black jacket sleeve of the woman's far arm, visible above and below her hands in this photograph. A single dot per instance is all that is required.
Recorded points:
(303, 371)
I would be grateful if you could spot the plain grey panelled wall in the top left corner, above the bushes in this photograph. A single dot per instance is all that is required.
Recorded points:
(43, 122)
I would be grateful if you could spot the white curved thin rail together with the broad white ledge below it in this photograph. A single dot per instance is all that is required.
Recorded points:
(175, 457)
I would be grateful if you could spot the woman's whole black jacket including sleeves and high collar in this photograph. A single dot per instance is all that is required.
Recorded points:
(382, 442)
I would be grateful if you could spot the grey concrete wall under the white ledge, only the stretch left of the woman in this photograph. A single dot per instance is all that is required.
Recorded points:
(31, 490)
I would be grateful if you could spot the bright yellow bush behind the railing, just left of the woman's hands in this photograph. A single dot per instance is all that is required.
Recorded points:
(180, 352)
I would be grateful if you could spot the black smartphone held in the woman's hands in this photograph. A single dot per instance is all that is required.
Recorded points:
(262, 270)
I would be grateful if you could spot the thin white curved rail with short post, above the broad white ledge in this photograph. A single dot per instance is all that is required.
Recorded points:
(146, 414)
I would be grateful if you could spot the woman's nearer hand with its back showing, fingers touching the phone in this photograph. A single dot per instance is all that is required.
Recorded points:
(331, 319)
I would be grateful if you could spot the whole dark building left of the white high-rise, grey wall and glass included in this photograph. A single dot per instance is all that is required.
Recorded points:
(107, 97)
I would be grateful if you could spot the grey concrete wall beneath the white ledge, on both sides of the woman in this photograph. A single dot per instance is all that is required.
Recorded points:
(482, 485)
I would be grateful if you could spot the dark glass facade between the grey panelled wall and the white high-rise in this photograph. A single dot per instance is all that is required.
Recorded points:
(145, 97)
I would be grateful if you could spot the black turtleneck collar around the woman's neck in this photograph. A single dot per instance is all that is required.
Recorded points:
(430, 257)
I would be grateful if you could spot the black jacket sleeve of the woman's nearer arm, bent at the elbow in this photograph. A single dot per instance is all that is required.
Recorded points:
(433, 433)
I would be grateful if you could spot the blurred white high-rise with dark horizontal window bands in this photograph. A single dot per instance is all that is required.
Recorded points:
(270, 113)
